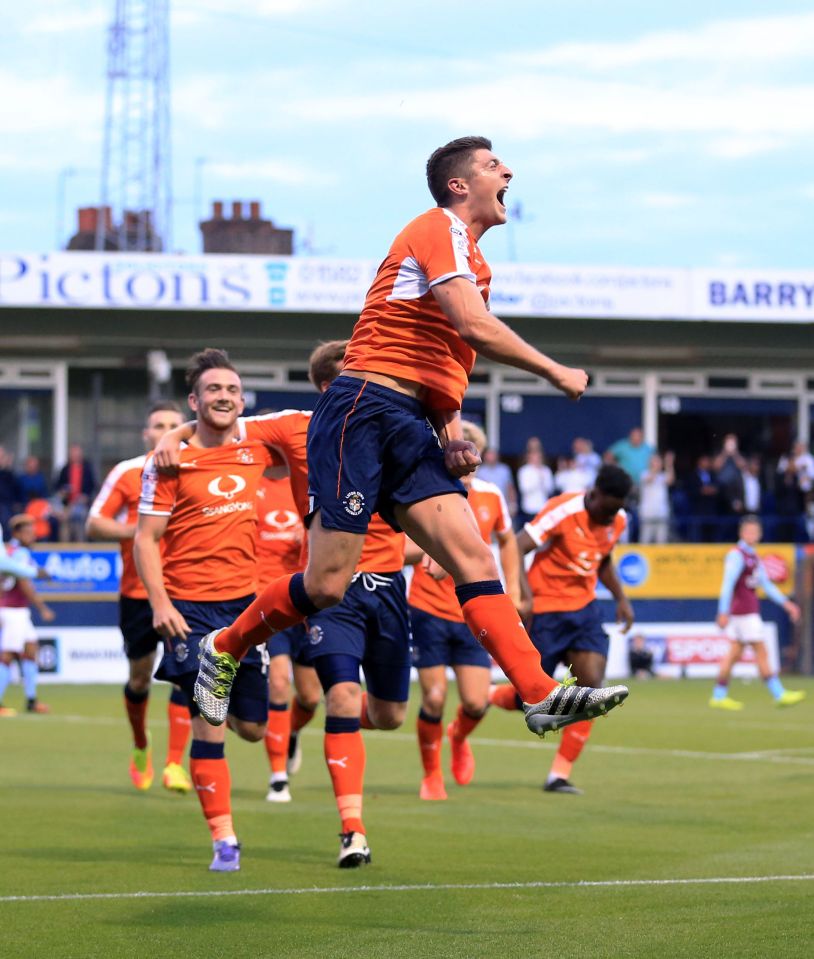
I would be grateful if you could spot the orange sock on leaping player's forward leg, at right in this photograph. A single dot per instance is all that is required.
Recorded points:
(496, 625)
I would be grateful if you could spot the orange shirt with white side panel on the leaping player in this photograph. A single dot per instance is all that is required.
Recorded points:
(402, 331)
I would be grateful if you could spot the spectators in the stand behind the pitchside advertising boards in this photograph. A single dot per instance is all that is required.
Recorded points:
(700, 505)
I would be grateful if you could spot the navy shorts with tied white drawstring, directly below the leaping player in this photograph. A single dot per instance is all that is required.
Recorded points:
(371, 625)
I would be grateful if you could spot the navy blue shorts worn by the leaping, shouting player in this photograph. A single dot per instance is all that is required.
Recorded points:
(370, 448)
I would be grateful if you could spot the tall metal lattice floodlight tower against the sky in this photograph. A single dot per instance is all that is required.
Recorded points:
(136, 184)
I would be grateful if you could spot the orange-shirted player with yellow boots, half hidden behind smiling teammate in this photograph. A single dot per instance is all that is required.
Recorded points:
(113, 516)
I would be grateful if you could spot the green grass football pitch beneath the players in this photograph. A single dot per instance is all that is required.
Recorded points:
(675, 794)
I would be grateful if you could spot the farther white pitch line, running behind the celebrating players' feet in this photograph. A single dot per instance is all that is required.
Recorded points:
(778, 757)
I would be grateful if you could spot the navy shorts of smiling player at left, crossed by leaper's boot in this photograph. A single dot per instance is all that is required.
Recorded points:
(179, 665)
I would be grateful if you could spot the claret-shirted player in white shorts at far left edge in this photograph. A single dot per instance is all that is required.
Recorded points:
(18, 637)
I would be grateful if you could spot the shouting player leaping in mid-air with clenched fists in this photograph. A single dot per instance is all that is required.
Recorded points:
(371, 447)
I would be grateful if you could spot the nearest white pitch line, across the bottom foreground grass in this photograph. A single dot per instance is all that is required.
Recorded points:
(418, 887)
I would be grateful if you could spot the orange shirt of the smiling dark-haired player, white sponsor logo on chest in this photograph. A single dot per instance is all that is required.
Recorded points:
(209, 543)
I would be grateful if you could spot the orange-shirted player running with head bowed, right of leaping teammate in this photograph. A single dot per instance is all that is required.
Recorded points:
(573, 536)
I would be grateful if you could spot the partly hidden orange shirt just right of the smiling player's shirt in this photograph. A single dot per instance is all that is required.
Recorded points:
(280, 531)
